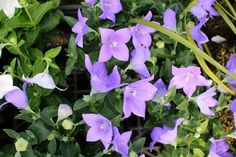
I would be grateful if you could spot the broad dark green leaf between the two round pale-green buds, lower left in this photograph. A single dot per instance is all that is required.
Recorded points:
(40, 130)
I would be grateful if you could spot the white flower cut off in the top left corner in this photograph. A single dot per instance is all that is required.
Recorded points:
(8, 7)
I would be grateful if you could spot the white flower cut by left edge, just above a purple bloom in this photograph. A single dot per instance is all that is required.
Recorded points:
(6, 84)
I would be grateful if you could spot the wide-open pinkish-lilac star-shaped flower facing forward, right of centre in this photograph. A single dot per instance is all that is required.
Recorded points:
(187, 78)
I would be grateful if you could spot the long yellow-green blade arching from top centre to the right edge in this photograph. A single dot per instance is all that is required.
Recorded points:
(185, 42)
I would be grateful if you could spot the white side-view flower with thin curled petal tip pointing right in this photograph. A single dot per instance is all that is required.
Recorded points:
(43, 79)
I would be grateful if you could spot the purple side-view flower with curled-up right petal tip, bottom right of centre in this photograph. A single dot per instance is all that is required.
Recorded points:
(165, 135)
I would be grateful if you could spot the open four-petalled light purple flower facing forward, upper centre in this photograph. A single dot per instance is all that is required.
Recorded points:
(113, 44)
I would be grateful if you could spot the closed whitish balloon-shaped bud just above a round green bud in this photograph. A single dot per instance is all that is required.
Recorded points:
(64, 111)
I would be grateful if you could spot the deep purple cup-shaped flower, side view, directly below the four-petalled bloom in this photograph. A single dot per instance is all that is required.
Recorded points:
(100, 81)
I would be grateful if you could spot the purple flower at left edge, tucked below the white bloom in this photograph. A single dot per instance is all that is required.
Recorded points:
(17, 97)
